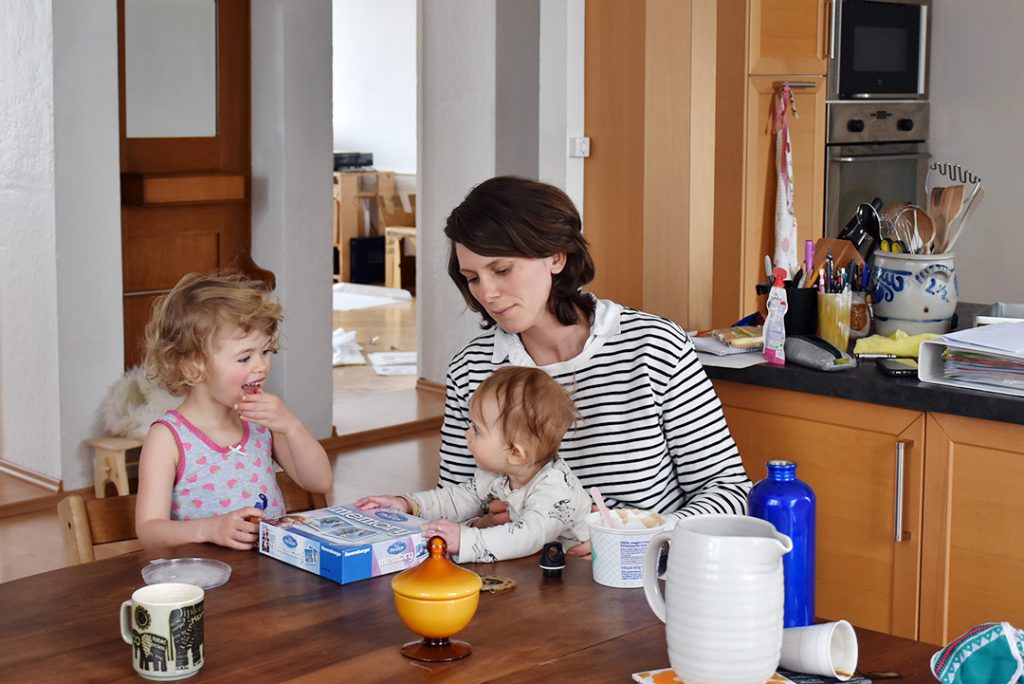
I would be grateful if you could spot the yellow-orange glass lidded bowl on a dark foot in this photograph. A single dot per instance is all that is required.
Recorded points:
(437, 600)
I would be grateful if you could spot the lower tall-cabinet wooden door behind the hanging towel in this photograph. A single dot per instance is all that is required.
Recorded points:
(807, 135)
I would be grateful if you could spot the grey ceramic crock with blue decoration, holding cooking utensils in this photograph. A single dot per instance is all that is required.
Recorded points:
(916, 293)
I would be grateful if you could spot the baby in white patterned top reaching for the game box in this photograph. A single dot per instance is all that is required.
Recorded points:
(519, 417)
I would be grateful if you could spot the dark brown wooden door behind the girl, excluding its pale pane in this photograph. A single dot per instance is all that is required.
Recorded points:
(186, 200)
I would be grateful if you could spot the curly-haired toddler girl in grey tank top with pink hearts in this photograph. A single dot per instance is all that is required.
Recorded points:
(208, 466)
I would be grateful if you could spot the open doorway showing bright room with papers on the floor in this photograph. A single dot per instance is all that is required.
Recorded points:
(374, 281)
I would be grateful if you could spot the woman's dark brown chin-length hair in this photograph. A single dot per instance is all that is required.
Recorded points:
(518, 218)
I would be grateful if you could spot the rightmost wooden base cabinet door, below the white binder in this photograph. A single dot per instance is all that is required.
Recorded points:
(973, 560)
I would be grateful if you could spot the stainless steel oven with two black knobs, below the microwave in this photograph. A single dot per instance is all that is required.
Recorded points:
(874, 150)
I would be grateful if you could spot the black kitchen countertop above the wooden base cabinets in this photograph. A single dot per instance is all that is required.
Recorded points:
(866, 383)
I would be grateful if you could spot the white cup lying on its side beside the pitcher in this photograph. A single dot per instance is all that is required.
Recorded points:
(830, 650)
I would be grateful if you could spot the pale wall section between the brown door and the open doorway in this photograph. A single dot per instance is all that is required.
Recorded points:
(292, 163)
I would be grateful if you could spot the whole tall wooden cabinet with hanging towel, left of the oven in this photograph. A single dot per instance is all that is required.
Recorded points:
(786, 41)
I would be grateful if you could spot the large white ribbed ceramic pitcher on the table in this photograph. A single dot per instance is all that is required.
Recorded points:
(723, 598)
